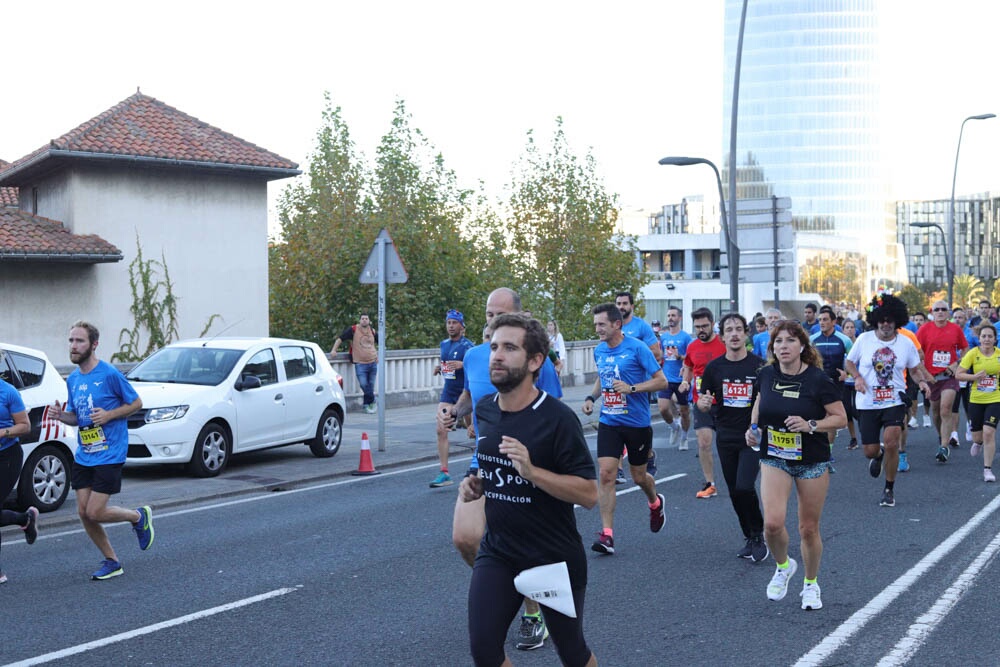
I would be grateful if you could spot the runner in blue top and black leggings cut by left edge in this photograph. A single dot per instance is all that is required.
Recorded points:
(14, 423)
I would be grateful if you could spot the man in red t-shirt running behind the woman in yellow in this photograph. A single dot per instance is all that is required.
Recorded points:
(944, 345)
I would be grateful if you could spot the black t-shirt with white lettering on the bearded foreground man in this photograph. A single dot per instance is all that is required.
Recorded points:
(525, 526)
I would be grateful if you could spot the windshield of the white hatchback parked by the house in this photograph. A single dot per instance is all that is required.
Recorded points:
(186, 365)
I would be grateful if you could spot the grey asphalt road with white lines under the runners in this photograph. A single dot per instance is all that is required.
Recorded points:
(361, 571)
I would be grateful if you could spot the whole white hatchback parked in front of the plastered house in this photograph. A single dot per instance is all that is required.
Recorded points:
(204, 400)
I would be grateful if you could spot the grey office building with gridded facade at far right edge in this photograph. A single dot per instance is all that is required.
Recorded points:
(977, 238)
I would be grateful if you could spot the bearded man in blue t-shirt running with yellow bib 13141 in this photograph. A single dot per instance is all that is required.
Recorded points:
(100, 401)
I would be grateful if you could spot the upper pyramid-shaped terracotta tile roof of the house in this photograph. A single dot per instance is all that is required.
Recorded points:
(142, 126)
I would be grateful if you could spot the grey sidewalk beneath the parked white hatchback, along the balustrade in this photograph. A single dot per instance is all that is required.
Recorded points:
(410, 438)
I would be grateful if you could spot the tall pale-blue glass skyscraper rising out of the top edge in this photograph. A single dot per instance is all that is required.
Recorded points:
(809, 120)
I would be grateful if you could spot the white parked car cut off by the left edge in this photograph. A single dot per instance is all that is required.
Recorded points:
(49, 448)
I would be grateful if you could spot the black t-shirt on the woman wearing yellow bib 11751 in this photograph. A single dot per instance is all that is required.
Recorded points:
(804, 395)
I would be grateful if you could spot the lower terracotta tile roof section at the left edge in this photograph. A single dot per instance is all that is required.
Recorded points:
(24, 234)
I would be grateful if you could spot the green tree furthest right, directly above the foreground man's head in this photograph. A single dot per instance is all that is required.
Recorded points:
(562, 246)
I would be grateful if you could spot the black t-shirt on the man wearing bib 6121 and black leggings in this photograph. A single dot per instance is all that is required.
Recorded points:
(733, 384)
